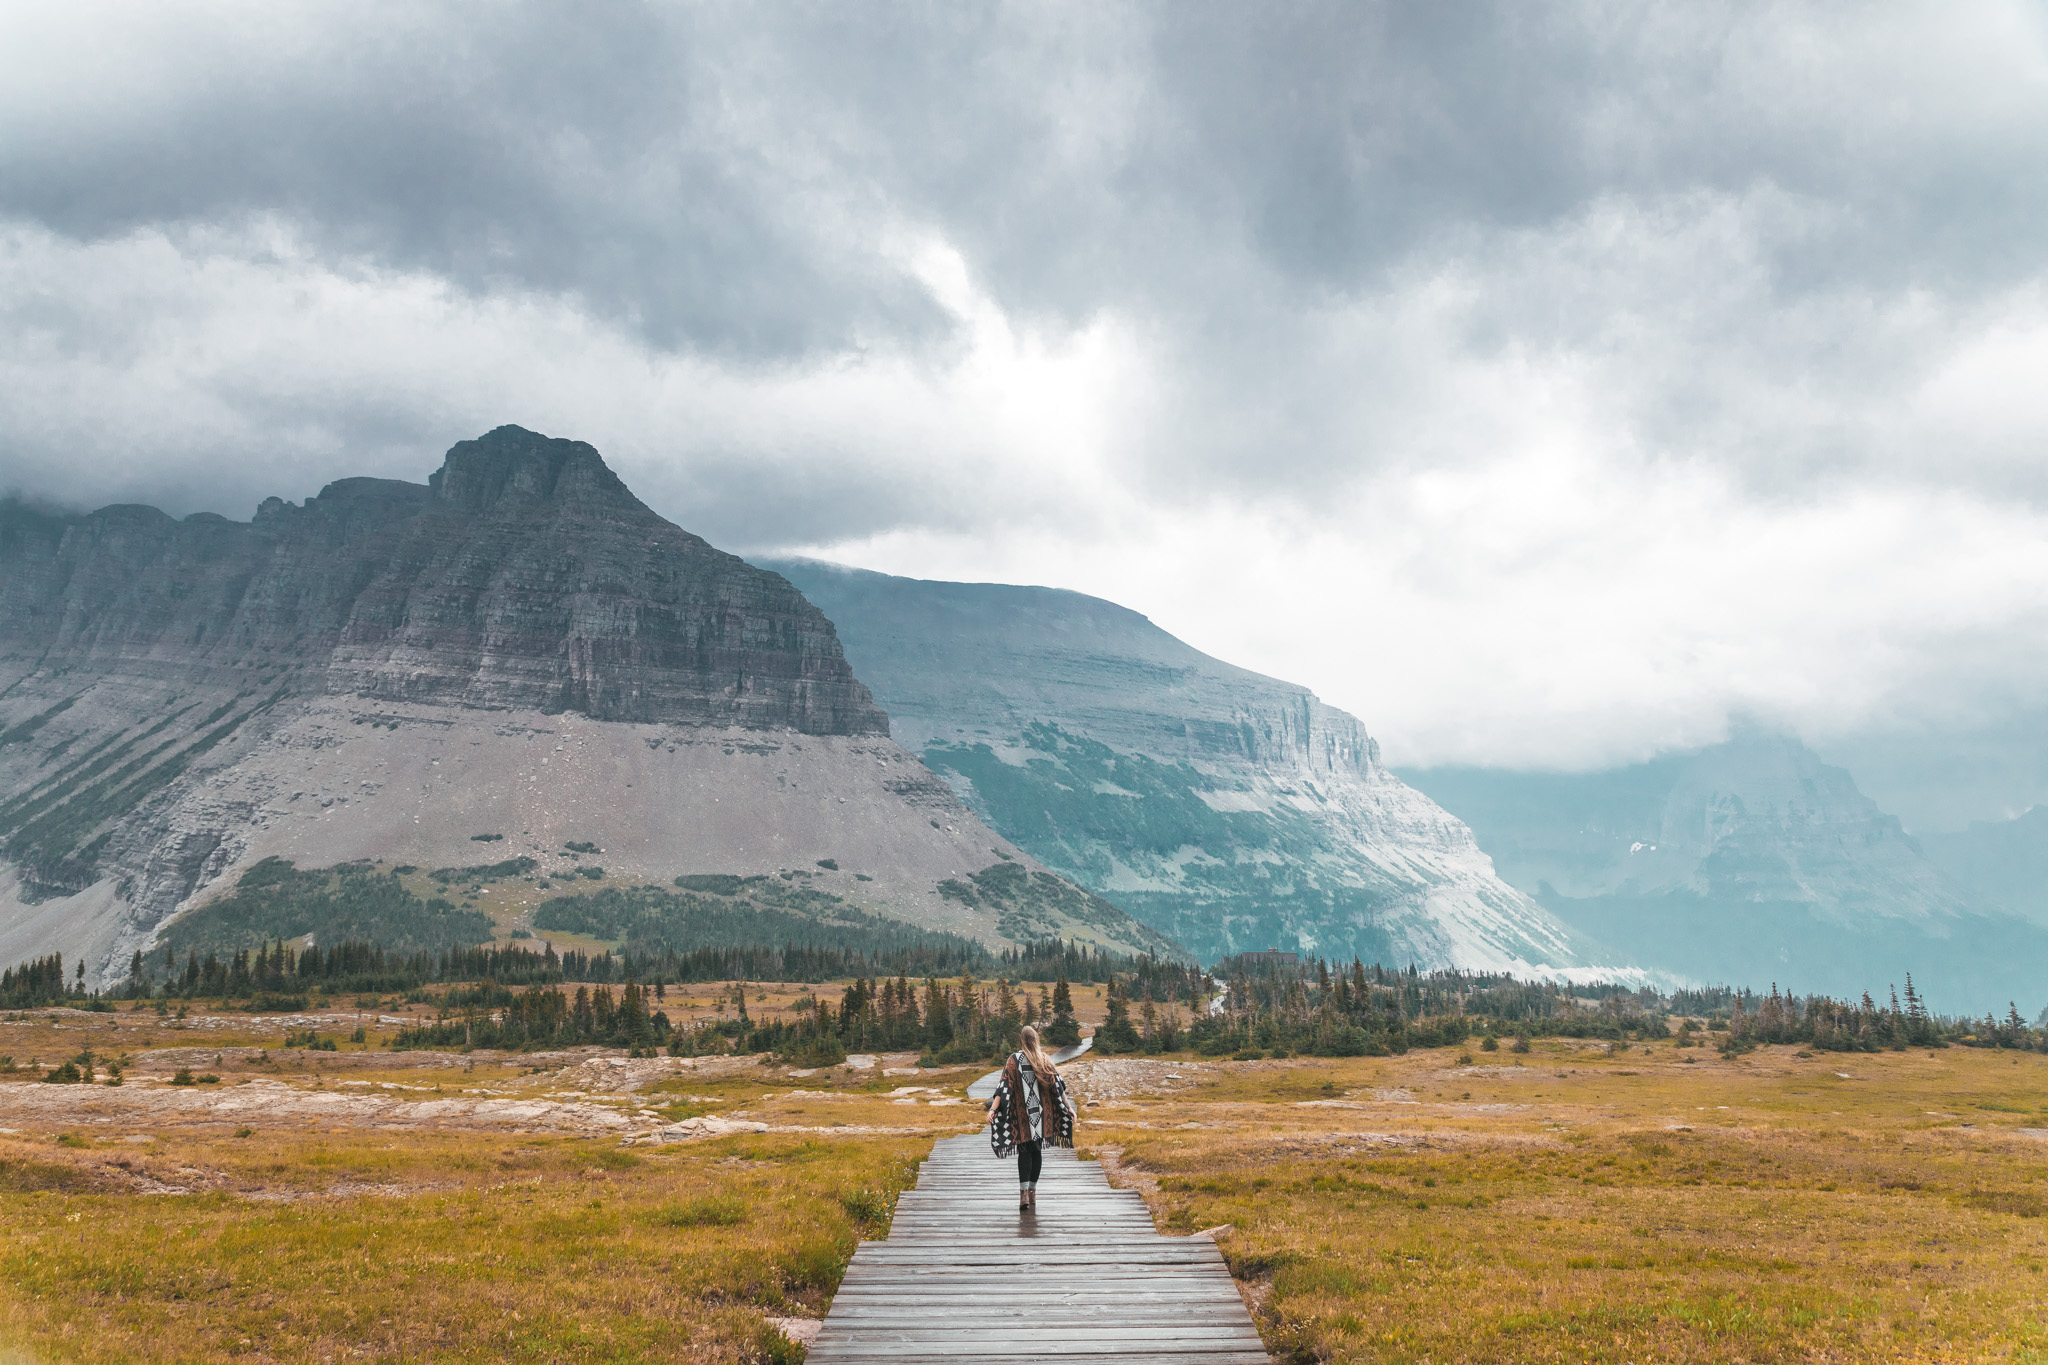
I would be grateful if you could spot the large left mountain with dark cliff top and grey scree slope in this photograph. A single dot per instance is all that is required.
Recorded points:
(515, 652)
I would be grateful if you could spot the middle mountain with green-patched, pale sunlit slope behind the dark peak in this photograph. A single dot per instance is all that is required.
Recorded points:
(1222, 807)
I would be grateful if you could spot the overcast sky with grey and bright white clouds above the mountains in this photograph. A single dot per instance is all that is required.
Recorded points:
(1549, 386)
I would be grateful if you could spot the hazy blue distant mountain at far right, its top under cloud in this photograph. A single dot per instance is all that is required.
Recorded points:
(1750, 863)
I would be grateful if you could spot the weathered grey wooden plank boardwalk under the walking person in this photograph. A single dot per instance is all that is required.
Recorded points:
(966, 1278)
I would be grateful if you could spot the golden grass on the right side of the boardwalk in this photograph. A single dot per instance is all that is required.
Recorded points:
(1635, 1208)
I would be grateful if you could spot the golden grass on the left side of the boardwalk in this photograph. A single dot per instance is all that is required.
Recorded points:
(304, 1243)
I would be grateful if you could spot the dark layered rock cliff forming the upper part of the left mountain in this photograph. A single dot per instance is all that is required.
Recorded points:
(521, 576)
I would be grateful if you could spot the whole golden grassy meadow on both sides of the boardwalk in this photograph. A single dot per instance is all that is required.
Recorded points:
(1568, 1204)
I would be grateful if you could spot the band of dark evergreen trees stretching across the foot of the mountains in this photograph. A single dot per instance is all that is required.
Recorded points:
(1246, 1006)
